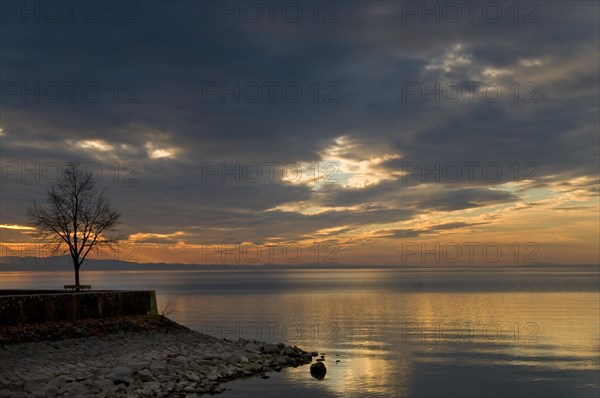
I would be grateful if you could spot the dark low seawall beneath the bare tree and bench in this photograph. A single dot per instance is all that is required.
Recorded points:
(36, 306)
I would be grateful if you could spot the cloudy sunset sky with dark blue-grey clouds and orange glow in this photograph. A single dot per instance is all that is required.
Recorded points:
(358, 132)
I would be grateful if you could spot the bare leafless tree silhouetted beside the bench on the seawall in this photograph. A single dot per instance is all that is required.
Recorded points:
(76, 218)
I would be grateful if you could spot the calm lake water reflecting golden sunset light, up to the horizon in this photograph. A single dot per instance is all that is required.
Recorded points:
(422, 332)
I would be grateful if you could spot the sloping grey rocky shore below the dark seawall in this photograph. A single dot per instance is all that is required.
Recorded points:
(133, 357)
